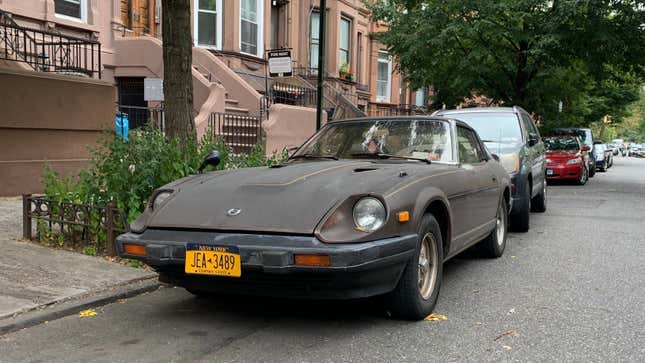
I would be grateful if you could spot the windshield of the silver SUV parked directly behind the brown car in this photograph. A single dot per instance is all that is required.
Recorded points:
(492, 127)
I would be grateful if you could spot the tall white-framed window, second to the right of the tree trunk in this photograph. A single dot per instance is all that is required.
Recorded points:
(251, 27)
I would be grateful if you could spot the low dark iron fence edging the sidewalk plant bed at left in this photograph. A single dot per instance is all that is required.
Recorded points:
(74, 223)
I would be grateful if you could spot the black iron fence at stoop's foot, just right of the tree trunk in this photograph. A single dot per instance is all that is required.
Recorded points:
(240, 132)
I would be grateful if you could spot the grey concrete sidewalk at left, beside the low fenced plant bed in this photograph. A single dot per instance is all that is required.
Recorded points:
(33, 277)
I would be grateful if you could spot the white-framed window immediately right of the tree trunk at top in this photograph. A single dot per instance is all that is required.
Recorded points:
(208, 24)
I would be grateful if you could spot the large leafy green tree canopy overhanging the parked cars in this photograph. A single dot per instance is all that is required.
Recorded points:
(531, 53)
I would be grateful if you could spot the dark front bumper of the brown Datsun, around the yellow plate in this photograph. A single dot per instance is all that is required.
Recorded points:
(357, 270)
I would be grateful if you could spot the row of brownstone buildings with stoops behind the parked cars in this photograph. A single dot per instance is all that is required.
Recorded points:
(90, 59)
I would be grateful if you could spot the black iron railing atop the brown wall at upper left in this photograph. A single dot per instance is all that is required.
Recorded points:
(47, 51)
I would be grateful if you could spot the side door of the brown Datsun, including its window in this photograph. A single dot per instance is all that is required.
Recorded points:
(475, 203)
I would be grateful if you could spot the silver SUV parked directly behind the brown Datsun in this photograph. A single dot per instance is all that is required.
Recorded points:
(510, 133)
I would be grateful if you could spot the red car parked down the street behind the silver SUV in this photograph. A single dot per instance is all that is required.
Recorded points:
(566, 159)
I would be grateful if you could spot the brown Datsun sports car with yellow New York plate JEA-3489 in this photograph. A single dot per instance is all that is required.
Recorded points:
(365, 207)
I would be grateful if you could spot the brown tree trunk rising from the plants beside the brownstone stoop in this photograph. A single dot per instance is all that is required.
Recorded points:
(177, 60)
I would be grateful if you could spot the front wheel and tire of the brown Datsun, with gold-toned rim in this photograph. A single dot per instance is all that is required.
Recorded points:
(414, 298)
